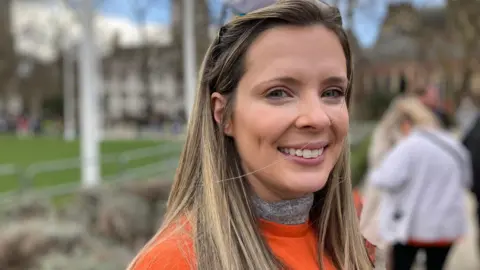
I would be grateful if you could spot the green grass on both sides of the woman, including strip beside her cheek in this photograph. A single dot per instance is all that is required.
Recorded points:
(27, 151)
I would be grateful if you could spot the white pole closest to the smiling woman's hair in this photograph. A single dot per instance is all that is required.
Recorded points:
(189, 55)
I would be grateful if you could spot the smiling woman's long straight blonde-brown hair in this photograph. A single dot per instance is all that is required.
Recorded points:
(209, 187)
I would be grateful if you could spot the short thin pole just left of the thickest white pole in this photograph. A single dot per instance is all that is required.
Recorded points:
(69, 127)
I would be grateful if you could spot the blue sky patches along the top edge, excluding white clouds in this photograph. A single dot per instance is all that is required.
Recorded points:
(366, 22)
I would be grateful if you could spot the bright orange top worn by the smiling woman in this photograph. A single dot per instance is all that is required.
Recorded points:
(294, 245)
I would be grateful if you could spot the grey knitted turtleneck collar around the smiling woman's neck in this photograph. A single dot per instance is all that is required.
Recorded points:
(289, 212)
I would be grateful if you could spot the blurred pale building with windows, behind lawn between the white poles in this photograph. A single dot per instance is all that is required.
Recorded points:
(125, 91)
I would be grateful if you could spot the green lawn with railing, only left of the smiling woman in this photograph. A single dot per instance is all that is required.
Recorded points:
(23, 152)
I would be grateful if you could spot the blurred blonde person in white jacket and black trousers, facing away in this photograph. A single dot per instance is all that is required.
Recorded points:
(422, 179)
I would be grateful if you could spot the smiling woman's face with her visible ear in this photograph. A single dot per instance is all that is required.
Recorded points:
(290, 117)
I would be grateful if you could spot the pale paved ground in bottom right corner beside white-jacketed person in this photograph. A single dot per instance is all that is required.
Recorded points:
(465, 255)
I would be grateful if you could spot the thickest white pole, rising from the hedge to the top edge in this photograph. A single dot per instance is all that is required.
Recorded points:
(89, 99)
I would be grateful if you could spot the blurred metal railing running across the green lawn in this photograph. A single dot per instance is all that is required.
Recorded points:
(129, 165)
